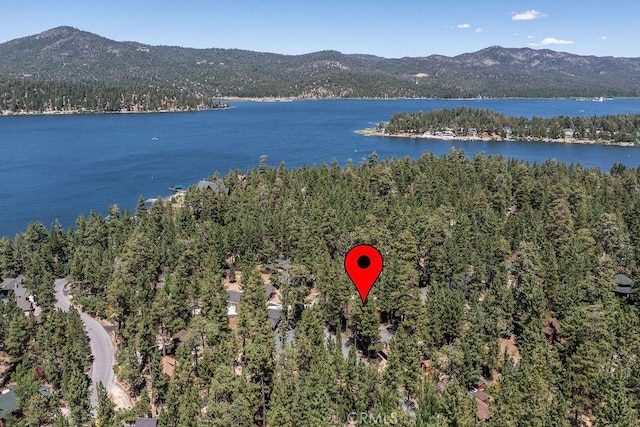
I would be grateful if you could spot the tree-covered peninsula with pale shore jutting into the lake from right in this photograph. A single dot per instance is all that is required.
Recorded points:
(469, 124)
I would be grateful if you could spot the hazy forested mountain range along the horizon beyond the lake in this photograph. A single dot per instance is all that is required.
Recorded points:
(68, 55)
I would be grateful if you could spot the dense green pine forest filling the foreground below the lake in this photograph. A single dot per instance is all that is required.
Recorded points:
(498, 276)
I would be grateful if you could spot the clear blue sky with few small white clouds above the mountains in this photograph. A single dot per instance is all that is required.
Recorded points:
(390, 29)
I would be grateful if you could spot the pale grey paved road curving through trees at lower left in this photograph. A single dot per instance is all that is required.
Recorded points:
(101, 347)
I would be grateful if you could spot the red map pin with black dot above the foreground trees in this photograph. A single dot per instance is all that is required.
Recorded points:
(363, 264)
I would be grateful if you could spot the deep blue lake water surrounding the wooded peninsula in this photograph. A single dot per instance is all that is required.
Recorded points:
(62, 166)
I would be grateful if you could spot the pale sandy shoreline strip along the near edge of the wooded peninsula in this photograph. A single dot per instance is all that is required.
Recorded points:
(495, 138)
